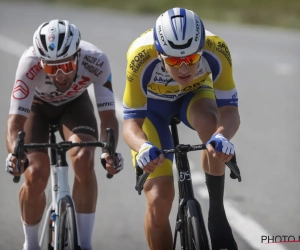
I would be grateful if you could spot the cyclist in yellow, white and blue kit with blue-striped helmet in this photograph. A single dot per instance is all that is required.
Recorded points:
(179, 68)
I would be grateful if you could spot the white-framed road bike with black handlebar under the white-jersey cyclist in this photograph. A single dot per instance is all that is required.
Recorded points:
(60, 229)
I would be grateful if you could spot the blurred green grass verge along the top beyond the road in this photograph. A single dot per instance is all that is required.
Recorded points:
(280, 13)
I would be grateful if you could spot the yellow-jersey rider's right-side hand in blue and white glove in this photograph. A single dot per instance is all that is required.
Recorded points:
(219, 147)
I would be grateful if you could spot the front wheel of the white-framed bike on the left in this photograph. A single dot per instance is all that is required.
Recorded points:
(68, 228)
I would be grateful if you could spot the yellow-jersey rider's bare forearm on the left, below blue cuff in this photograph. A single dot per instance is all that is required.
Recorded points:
(133, 134)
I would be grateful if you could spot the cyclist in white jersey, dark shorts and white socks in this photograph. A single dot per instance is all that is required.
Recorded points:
(51, 87)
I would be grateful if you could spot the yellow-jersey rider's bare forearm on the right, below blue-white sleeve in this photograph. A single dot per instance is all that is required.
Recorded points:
(229, 121)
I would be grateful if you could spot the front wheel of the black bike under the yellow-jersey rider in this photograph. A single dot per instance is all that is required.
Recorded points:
(195, 228)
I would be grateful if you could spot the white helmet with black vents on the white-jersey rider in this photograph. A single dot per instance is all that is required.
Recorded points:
(55, 40)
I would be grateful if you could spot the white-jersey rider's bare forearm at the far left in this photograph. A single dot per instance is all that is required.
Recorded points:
(15, 123)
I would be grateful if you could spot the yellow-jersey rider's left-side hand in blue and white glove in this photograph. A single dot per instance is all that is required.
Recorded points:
(149, 157)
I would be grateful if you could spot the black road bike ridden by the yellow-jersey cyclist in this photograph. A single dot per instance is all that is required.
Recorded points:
(189, 221)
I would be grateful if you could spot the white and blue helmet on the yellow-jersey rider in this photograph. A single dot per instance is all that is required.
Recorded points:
(179, 32)
